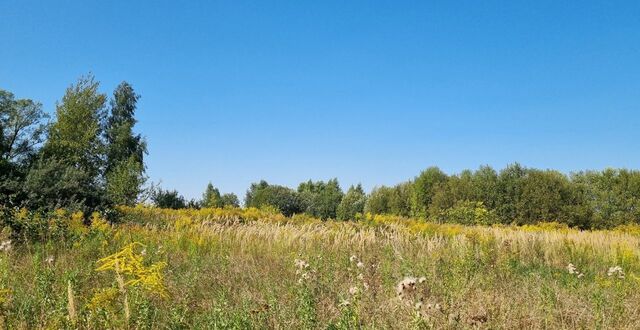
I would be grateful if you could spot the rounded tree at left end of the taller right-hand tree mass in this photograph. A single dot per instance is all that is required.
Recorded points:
(425, 187)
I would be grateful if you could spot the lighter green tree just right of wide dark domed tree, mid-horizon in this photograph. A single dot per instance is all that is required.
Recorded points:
(321, 199)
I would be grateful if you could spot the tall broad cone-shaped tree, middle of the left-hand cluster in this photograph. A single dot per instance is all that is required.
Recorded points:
(74, 149)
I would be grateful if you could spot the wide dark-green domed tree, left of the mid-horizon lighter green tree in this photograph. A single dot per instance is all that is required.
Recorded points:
(286, 200)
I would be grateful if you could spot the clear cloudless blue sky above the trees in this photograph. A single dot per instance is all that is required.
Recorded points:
(365, 91)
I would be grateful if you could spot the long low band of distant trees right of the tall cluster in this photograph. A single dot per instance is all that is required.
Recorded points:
(514, 195)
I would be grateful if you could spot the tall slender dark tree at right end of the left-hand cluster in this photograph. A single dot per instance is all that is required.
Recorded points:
(124, 168)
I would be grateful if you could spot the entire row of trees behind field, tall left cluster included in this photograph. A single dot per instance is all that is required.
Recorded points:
(88, 157)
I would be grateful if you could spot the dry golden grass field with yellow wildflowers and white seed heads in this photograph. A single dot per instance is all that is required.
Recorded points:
(234, 268)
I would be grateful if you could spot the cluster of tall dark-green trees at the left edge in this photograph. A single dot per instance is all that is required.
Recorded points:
(88, 161)
